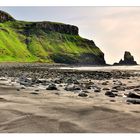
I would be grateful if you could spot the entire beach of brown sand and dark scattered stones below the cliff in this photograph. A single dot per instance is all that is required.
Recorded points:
(42, 98)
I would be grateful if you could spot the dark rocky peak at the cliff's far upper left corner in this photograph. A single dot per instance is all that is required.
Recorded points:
(5, 17)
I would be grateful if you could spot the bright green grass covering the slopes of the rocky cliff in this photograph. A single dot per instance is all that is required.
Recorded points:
(41, 45)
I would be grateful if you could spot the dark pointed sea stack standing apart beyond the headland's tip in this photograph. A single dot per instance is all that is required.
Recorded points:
(128, 60)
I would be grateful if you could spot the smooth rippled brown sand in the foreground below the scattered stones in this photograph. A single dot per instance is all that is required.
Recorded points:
(61, 111)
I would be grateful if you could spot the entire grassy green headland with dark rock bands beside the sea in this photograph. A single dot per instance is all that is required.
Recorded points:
(45, 41)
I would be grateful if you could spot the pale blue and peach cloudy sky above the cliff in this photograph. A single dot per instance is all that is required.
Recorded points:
(113, 29)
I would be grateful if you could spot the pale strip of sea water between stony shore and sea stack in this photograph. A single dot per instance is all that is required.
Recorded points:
(102, 68)
